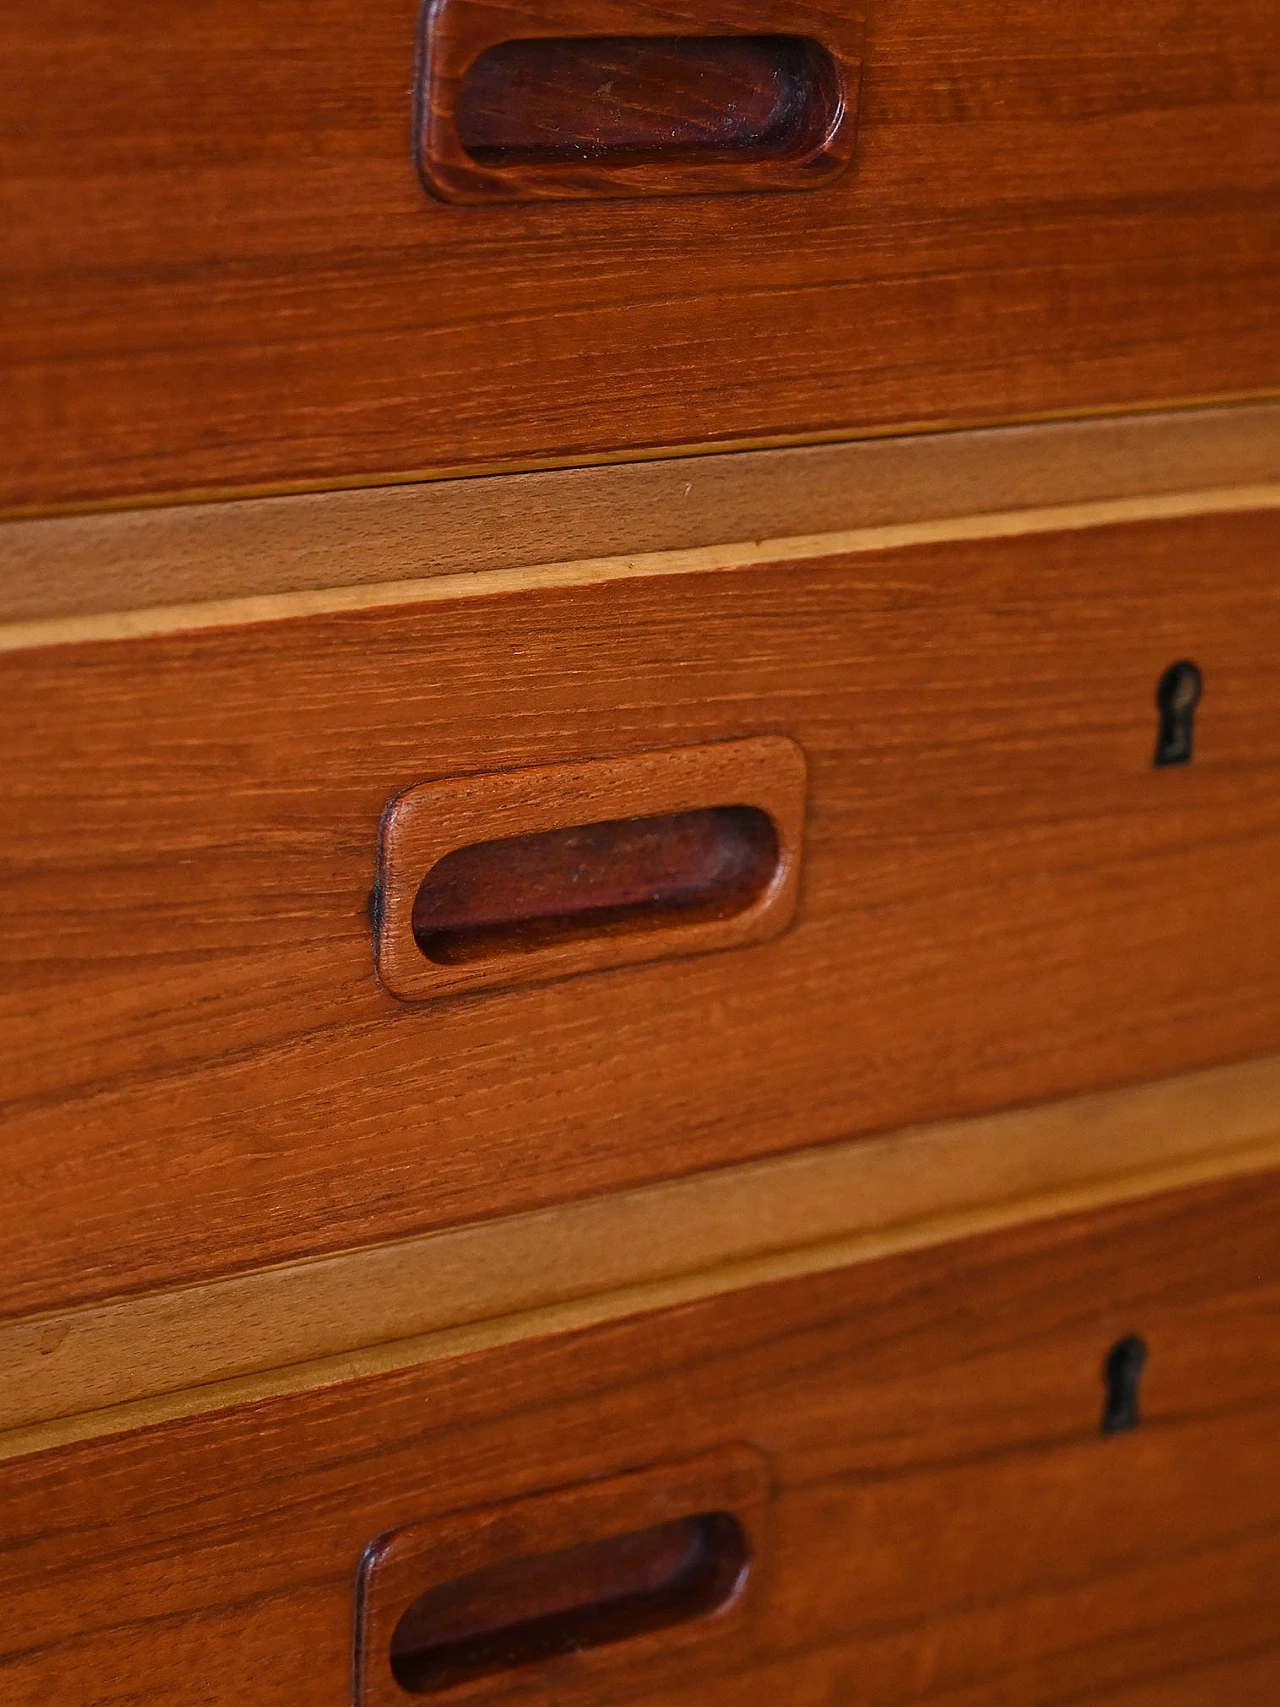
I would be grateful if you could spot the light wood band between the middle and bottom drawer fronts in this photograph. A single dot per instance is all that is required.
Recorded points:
(306, 1325)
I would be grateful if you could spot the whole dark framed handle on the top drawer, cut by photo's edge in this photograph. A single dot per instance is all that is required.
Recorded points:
(607, 100)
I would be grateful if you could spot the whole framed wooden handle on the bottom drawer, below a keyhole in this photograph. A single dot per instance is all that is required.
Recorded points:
(569, 1590)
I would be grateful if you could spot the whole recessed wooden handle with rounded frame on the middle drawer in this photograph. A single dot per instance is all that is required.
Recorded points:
(509, 919)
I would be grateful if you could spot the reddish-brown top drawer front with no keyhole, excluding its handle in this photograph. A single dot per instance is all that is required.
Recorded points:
(224, 274)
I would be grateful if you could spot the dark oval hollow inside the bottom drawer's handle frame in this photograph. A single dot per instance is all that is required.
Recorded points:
(530, 1611)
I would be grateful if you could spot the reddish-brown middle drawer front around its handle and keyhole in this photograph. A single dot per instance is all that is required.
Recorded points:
(1003, 900)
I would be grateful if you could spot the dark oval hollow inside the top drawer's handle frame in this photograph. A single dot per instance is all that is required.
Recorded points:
(648, 100)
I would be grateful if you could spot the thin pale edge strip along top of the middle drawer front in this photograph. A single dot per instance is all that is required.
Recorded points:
(998, 525)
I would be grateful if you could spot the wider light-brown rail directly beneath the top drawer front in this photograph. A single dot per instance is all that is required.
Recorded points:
(207, 554)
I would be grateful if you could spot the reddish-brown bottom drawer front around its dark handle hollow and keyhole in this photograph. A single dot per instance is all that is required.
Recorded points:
(946, 1523)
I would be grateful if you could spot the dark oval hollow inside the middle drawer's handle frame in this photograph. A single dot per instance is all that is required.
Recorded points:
(605, 880)
